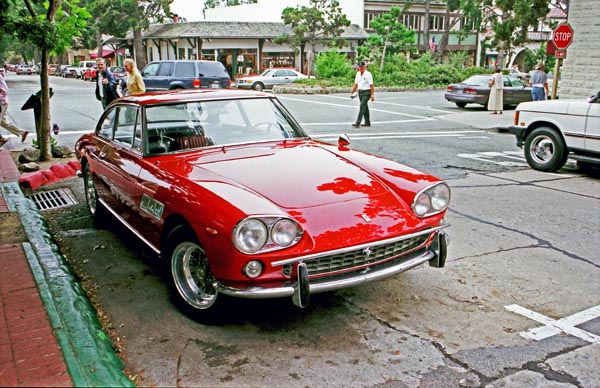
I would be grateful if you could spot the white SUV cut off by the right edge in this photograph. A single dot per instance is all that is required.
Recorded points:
(555, 130)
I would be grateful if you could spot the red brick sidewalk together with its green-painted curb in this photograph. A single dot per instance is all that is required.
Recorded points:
(49, 332)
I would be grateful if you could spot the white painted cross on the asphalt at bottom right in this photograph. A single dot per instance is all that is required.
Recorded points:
(553, 327)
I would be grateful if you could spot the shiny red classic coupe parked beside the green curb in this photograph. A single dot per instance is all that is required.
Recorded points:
(228, 188)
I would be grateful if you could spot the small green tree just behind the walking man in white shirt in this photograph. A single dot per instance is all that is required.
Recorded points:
(390, 37)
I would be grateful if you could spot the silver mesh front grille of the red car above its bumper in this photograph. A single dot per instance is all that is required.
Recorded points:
(360, 258)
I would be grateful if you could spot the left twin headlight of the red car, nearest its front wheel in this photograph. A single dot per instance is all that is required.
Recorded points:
(265, 233)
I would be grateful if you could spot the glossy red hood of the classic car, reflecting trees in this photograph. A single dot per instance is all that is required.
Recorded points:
(299, 176)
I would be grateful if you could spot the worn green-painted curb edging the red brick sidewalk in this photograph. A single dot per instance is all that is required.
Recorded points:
(88, 352)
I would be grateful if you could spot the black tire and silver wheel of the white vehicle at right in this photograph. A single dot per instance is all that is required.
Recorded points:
(545, 150)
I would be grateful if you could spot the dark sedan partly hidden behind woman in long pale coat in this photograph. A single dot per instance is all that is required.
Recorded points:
(476, 90)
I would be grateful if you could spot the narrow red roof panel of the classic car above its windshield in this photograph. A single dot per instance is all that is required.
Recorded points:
(172, 96)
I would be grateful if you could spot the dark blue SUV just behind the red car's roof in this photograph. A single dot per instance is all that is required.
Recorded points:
(169, 75)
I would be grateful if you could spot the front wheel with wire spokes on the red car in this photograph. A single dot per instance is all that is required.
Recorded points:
(192, 283)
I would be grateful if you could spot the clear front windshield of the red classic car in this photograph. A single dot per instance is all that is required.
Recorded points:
(191, 125)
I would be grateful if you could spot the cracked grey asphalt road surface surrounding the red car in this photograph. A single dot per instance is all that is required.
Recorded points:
(517, 305)
